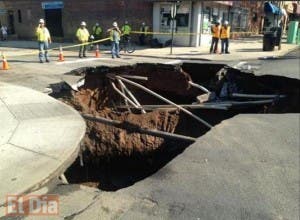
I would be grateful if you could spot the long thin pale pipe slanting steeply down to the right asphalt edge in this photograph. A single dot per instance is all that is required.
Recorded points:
(165, 100)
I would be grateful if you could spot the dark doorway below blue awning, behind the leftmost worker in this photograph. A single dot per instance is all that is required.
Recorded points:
(54, 22)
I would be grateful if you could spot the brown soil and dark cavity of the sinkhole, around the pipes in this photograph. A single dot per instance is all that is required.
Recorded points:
(118, 156)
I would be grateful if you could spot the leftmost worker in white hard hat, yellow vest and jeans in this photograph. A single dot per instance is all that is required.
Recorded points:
(44, 39)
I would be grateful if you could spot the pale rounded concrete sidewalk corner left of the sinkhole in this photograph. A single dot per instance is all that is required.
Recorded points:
(40, 139)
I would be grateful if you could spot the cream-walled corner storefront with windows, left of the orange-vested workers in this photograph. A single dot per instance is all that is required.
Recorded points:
(192, 17)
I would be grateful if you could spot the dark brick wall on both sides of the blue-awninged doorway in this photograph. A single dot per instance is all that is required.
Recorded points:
(75, 11)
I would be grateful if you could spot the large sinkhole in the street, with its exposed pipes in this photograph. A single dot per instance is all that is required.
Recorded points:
(131, 133)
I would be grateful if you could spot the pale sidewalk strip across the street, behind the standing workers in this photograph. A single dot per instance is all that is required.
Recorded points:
(241, 49)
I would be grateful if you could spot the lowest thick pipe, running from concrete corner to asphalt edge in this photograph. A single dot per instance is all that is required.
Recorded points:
(152, 132)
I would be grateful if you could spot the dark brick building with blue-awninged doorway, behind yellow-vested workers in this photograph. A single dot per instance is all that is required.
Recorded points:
(63, 17)
